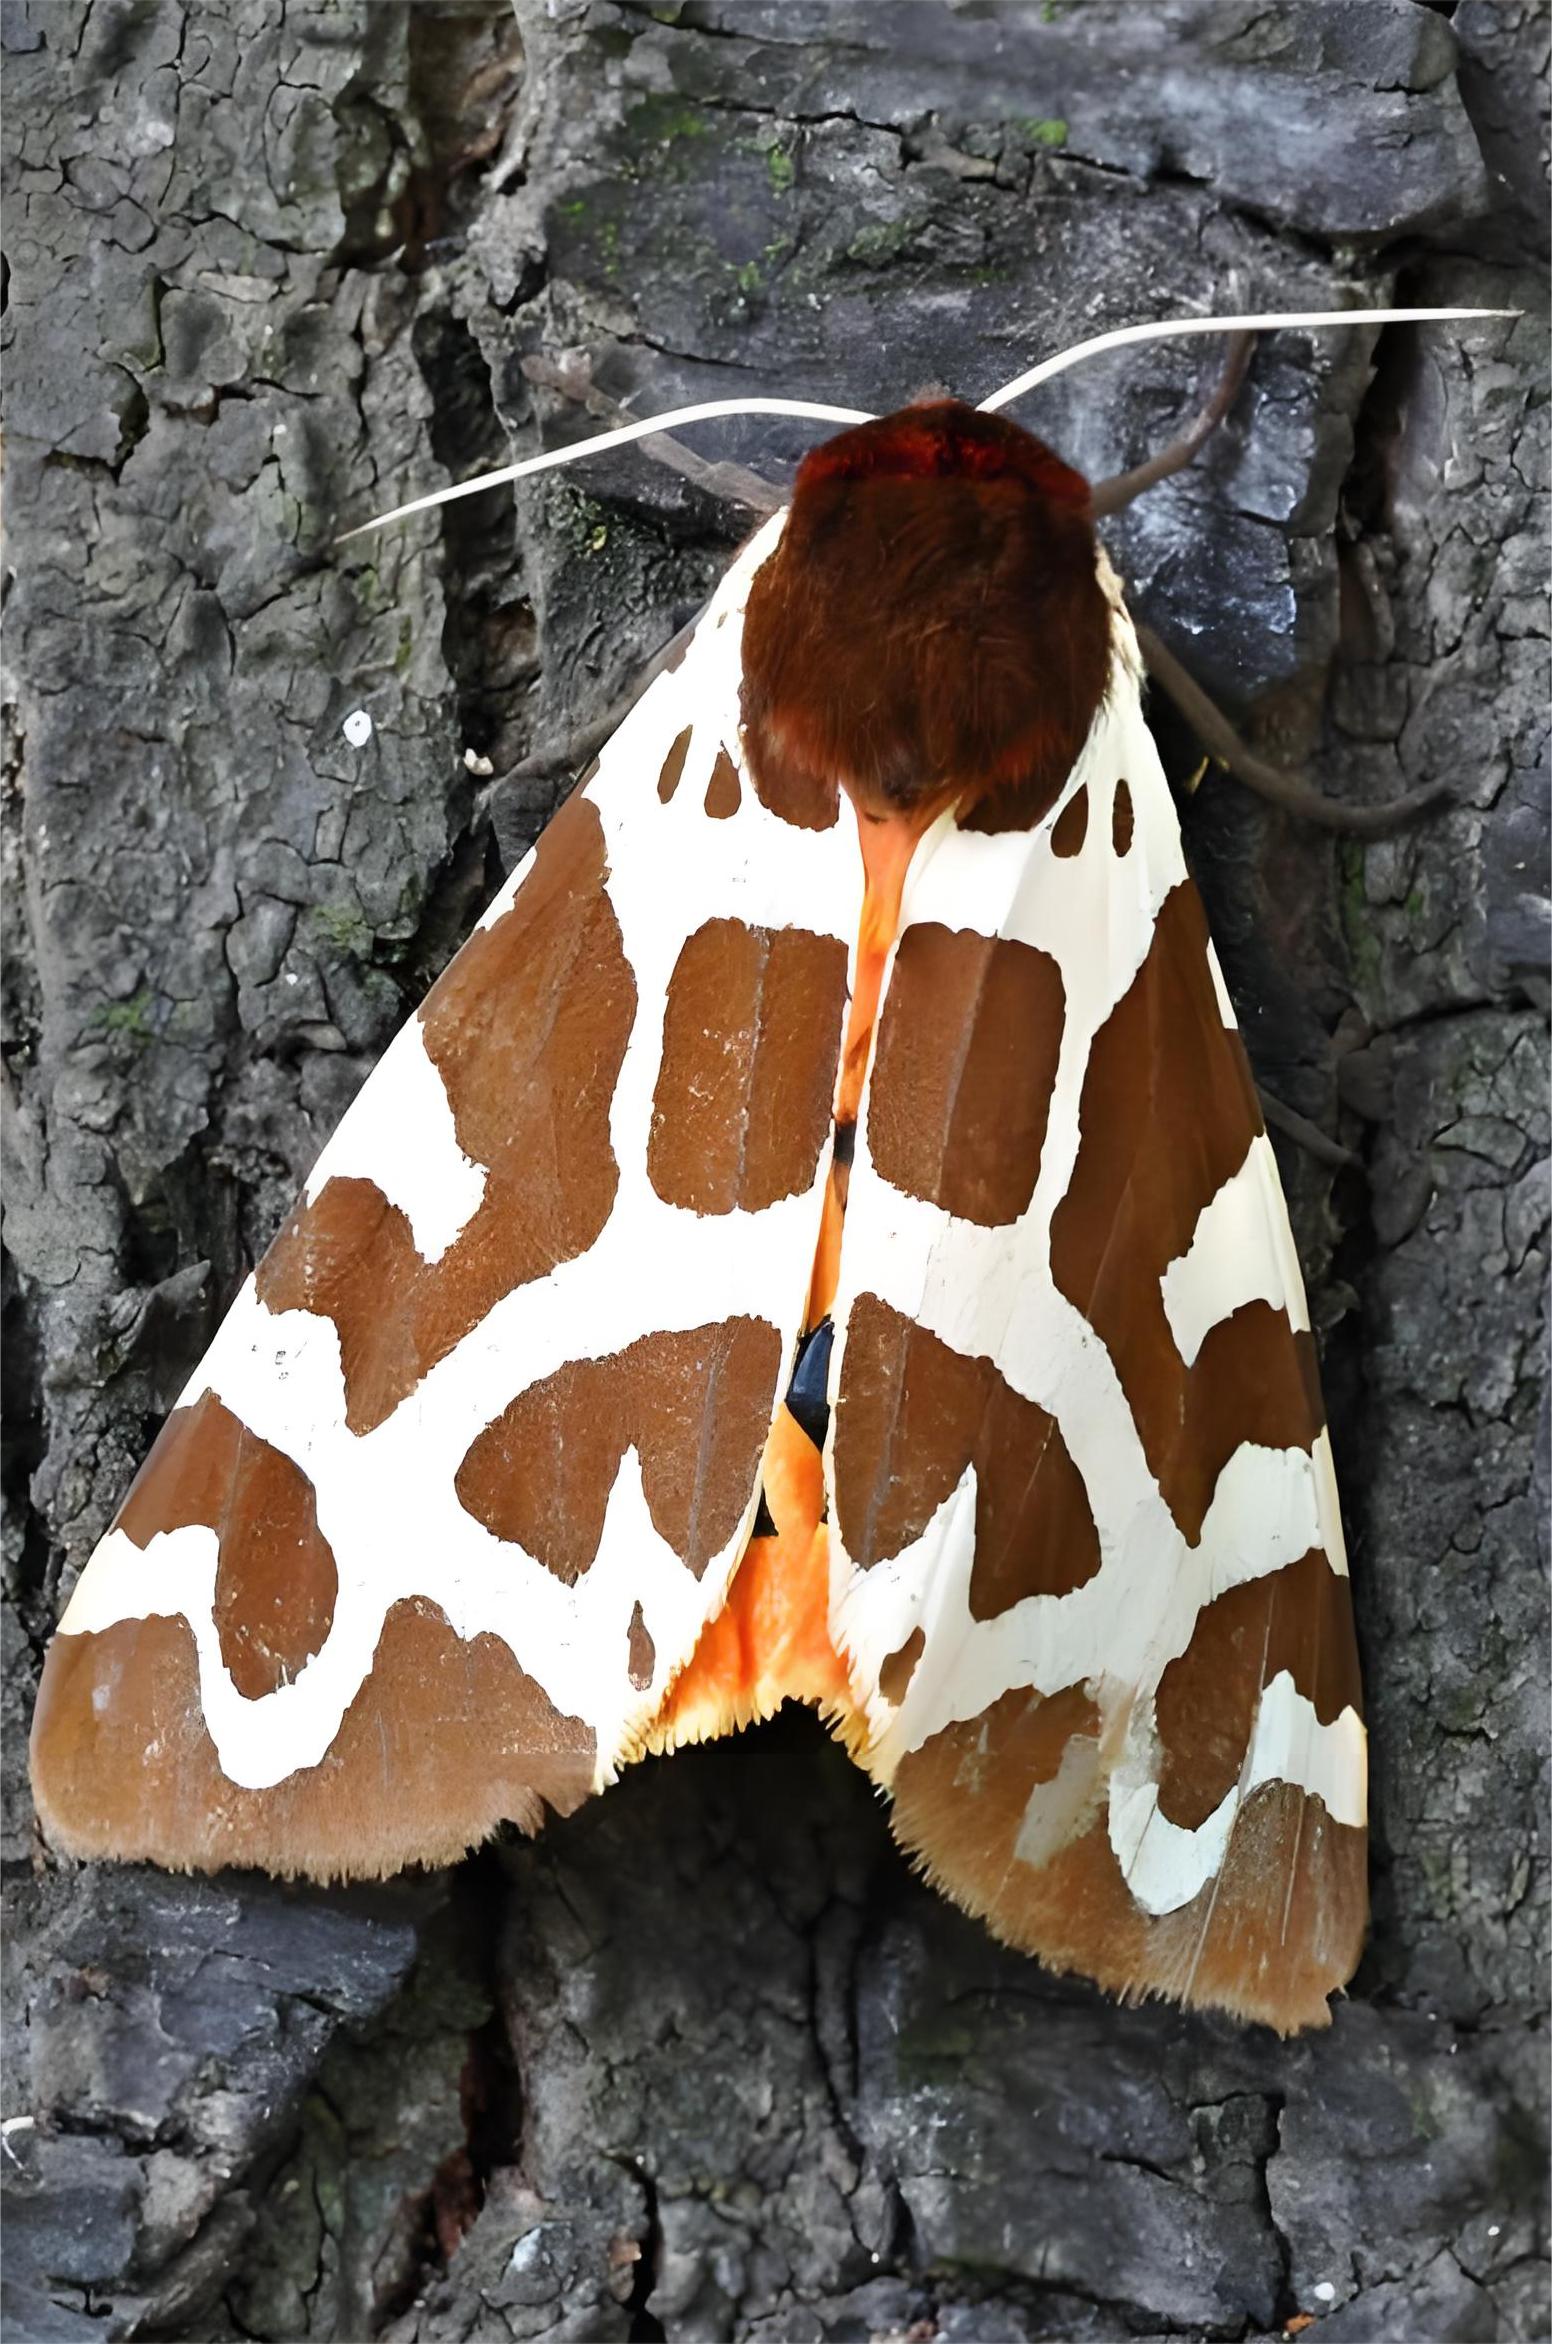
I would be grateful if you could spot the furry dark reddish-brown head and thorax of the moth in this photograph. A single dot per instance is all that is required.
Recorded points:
(932, 627)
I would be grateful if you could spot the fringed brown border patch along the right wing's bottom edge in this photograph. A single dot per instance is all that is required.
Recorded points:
(1269, 1940)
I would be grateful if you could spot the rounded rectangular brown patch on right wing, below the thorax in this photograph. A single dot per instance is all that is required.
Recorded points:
(962, 1079)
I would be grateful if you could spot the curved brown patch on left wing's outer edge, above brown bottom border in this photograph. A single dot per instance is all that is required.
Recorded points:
(275, 1581)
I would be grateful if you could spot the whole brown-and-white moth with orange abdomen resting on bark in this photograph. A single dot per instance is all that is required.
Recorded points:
(817, 1241)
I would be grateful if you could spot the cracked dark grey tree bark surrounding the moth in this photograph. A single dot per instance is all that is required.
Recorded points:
(707, 2062)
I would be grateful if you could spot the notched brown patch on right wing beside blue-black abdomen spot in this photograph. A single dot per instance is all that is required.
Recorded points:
(911, 1417)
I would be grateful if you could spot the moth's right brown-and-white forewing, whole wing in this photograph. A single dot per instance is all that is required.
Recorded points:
(1089, 1553)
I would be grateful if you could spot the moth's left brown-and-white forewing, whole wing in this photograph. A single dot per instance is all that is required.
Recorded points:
(477, 1450)
